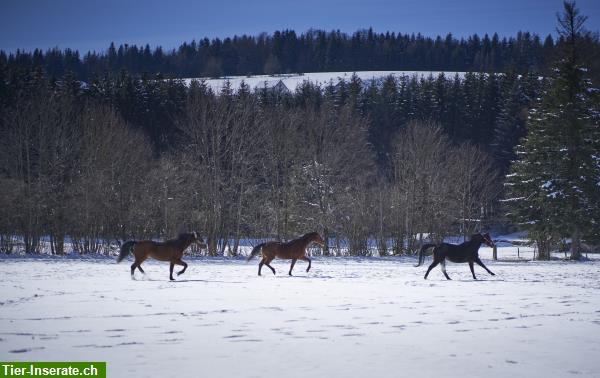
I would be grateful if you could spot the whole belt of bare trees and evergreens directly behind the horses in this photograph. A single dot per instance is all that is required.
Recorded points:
(126, 156)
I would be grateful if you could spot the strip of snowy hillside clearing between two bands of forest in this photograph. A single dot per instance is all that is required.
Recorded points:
(292, 81)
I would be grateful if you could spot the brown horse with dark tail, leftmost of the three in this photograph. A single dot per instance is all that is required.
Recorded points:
(171, 250)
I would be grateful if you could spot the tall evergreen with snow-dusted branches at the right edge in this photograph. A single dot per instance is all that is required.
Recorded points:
(553, 185)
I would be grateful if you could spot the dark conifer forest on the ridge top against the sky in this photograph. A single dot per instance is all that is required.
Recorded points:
(287, 51)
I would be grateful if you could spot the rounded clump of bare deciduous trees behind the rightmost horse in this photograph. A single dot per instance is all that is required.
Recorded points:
(437, 188)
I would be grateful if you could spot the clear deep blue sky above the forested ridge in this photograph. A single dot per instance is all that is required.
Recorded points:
(93, 24)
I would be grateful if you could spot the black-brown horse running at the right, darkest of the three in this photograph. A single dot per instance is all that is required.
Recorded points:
(461, 253)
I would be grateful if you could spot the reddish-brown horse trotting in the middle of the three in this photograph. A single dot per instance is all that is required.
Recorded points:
(293, 250)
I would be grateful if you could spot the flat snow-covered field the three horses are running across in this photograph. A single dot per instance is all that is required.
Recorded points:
(346, 318)
